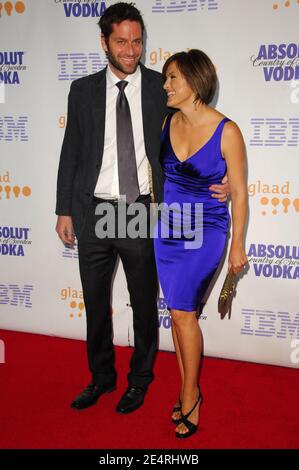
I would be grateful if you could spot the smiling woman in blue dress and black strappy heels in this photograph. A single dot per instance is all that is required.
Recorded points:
(199, 146)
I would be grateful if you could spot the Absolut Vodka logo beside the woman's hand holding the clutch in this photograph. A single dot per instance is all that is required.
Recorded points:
(281, 261)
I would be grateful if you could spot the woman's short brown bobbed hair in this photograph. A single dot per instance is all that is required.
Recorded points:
(198, 70)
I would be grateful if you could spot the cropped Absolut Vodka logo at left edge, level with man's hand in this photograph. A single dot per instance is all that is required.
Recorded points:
(13, 240)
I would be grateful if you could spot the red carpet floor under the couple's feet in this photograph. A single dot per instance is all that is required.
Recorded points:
(245, 405)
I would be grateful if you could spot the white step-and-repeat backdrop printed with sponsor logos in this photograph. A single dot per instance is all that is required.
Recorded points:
(44, 46)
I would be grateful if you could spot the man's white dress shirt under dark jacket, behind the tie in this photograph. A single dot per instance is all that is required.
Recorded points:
(107, 186)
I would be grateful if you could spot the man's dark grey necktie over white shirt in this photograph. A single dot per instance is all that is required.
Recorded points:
(127, 169)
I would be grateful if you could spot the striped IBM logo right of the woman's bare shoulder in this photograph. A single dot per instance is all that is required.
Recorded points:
(274, 132)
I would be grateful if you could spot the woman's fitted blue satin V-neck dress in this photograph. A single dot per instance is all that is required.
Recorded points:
(185, 270)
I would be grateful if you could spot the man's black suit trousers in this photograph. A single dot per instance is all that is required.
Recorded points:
(97, 259)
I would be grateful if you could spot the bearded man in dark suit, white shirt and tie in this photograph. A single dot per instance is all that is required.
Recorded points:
(112, 138)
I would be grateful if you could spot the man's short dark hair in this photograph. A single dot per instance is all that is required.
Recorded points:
(117, 13)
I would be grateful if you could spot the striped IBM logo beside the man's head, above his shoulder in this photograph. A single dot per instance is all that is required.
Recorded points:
(77, 65)
